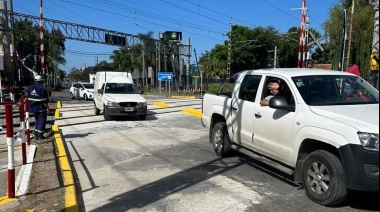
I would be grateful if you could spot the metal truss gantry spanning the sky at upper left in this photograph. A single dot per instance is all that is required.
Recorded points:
(98, 35)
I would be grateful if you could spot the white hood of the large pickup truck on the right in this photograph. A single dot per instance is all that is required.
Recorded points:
(364, 118)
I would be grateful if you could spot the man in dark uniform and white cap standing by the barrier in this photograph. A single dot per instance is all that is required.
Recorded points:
(38, 104)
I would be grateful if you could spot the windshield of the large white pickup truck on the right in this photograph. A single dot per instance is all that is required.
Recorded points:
(335, 90)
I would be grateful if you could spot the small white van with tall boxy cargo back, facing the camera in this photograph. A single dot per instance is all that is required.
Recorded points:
(116, 95)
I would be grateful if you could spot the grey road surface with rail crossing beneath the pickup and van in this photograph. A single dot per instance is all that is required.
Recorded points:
(165, 163)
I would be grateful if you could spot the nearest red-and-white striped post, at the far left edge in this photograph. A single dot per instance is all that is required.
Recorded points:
(10, 143)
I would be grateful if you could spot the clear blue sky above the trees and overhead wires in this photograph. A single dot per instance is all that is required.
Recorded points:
(205, 22)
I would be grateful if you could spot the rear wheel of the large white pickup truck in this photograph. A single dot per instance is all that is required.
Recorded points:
(220, 140)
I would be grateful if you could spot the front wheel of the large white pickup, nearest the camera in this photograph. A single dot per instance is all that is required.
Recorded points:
(323, 178)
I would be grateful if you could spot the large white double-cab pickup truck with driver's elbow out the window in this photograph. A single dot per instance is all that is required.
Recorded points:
(322, 128)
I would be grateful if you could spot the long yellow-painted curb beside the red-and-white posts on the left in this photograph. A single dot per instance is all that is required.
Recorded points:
(71, 203)
